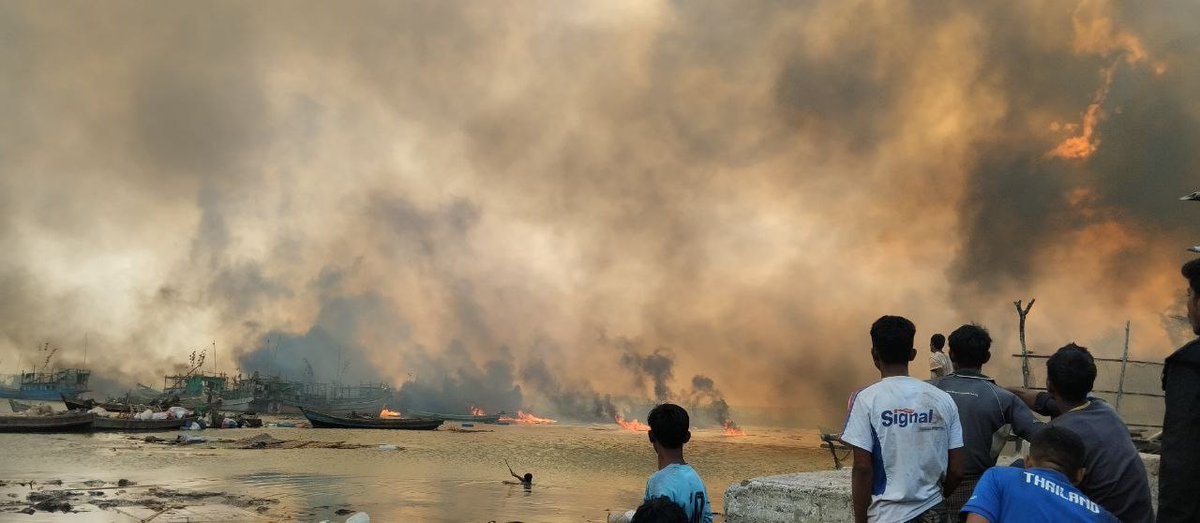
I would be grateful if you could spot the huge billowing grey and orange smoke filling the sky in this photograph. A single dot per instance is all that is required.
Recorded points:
(424, 184)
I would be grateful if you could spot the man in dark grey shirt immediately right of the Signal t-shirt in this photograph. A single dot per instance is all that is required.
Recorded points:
(983, 410)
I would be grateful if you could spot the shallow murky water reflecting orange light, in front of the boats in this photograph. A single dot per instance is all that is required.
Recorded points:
(580, 471)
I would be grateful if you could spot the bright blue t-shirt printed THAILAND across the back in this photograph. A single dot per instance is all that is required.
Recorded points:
(1012, 495)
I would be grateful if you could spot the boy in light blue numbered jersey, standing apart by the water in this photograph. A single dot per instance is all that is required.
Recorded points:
(676, 479)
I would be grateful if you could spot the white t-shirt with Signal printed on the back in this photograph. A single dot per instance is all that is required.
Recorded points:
(909, 426)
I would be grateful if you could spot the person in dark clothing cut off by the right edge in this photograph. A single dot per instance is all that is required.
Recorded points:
(1179, 471)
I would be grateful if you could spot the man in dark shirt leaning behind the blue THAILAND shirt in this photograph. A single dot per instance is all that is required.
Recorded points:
(1117, 477)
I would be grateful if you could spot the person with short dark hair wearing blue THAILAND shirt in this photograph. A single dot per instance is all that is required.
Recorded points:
(1045, 491)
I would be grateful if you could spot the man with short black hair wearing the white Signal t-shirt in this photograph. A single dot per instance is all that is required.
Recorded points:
(905, 434)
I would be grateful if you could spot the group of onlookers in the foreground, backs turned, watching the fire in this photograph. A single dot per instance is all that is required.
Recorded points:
(927, 452)
